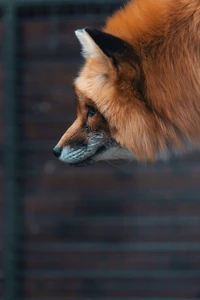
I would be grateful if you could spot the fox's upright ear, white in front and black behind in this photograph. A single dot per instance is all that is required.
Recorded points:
(94, 42)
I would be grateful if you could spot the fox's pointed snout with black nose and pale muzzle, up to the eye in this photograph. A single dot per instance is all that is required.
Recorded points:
(85, 141)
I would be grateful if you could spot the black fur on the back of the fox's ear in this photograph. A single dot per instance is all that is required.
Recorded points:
(108, 43)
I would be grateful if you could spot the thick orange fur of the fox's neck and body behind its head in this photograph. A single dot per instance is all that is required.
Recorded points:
(167, 34)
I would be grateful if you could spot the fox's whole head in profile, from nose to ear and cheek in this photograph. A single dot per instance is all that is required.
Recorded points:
(108, 86)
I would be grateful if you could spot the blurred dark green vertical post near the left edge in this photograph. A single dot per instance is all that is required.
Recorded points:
(10, 152)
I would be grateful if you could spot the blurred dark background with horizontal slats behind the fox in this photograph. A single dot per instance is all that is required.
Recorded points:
(105, 232)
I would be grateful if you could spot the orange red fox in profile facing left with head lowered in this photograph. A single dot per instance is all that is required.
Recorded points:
(138, 93)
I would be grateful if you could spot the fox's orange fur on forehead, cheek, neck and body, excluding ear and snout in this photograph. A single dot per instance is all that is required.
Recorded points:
(166, 36)
